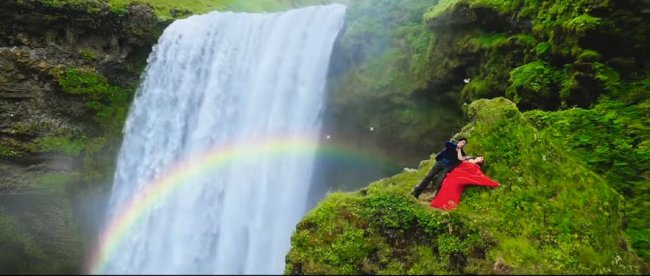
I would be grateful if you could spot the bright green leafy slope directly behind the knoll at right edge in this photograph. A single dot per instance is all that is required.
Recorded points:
(613, 139)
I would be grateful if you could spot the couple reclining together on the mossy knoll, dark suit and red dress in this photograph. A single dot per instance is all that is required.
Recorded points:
(456, 170)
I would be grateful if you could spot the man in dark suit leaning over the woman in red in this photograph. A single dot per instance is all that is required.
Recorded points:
(446, 160)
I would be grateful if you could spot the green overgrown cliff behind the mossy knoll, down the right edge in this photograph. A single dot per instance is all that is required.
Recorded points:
(561, 60)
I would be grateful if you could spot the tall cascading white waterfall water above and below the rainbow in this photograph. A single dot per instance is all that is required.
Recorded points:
(217, 79)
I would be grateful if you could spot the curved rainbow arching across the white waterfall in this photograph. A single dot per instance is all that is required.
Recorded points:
(183, 172)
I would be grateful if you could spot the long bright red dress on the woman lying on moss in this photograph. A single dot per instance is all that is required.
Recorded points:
(453, 185)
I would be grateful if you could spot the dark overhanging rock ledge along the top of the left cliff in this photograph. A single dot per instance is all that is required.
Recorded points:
(33, 24)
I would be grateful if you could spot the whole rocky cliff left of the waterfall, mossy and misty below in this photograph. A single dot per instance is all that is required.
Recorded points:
(66, 77)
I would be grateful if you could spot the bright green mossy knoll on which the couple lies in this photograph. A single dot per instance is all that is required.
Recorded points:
(551, 214)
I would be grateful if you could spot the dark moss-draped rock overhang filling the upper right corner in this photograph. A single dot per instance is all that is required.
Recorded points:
(572, 38)
